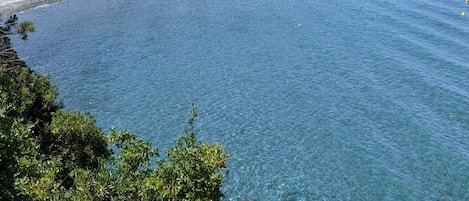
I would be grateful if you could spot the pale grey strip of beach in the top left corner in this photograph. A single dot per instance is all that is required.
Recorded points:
(8, 7)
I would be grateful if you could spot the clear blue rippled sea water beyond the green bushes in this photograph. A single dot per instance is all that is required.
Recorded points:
(313, 100)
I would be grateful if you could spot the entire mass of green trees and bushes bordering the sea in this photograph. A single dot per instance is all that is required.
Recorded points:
(50, 154)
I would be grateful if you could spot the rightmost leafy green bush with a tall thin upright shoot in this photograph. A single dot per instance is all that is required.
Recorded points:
(193, 171)
